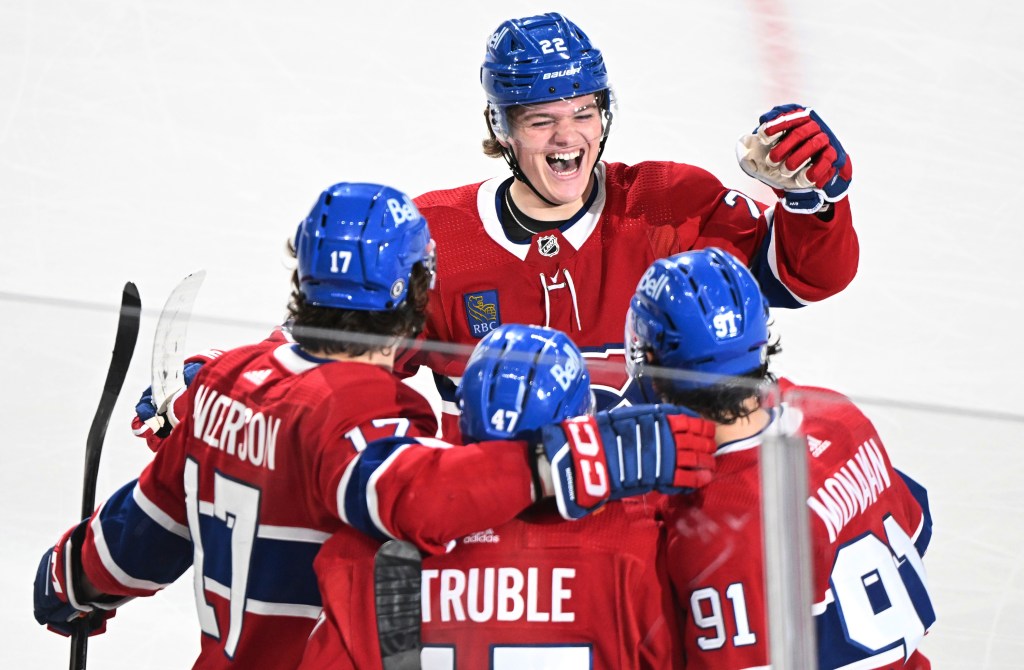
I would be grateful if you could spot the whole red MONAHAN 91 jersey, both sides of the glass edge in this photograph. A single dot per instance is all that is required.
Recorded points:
(871, 526)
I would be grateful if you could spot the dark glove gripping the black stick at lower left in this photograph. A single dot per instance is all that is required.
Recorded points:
(59, 605)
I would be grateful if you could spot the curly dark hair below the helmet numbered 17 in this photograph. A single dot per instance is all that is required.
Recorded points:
(356, 332)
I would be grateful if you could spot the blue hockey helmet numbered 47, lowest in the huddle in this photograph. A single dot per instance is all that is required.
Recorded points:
(521, 379)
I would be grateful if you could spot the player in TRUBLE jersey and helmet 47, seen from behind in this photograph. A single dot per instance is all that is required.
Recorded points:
(533, 593)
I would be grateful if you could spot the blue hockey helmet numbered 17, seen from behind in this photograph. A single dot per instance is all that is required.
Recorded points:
(357, 248)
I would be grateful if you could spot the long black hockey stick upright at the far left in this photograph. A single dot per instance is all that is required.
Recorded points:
(124, 347)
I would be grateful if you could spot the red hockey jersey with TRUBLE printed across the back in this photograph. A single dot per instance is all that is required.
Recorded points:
(536, 593)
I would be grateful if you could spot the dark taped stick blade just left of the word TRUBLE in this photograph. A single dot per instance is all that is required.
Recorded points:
(397, 588)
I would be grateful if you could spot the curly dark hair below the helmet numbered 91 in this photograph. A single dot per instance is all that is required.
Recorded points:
(728, 401)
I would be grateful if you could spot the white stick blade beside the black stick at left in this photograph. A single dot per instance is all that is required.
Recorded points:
(169, 341)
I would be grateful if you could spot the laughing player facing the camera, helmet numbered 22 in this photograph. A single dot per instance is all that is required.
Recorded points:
(564, 241)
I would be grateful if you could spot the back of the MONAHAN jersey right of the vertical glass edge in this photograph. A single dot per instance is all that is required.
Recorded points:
(871, 527)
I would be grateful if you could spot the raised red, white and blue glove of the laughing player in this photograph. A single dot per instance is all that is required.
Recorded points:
(795, 152)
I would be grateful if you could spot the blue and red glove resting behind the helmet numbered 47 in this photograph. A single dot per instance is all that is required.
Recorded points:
(626, 452)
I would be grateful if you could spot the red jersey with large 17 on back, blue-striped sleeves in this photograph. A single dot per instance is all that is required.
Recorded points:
(277, 452)
